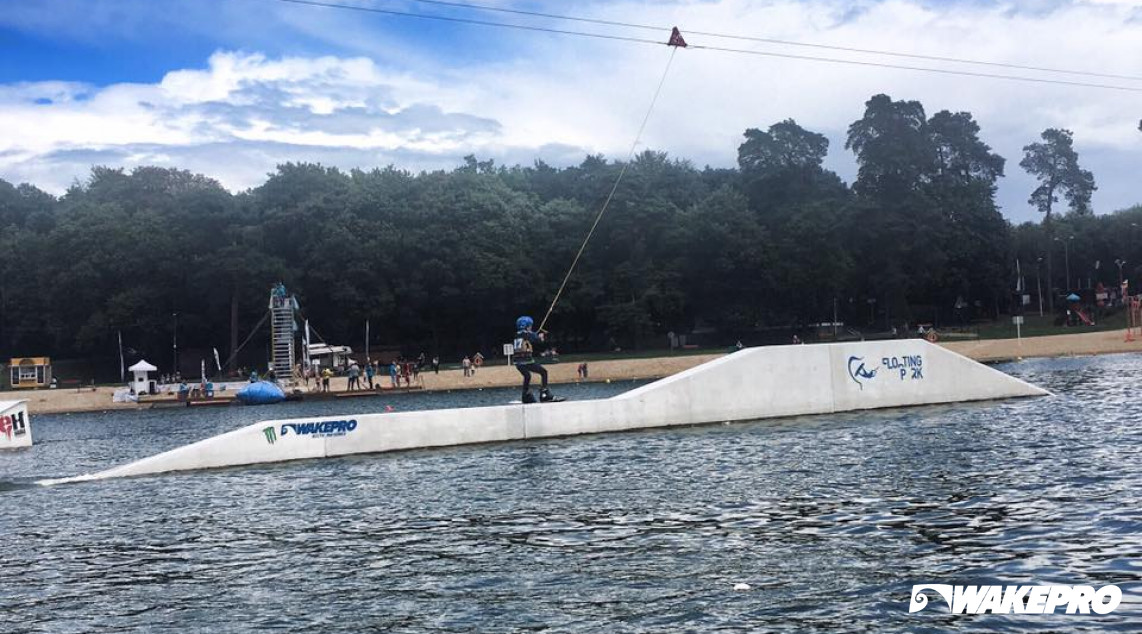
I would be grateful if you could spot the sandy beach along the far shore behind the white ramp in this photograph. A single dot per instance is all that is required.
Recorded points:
(1081, 344)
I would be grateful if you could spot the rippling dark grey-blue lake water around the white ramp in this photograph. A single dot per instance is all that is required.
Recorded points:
(830, 519)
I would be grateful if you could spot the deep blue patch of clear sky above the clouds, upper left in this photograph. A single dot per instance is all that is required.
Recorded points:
(109, 42)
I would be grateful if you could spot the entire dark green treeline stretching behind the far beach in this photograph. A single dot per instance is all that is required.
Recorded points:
(445, 261)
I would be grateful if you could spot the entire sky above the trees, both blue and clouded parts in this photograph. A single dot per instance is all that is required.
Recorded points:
(231, 89)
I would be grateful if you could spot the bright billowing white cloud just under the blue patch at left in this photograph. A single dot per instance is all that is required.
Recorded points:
(246, 100)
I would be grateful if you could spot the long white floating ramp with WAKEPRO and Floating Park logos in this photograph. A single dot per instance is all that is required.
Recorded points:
(750, 384)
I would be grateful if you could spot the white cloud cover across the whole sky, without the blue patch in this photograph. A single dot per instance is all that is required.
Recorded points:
(560, 98)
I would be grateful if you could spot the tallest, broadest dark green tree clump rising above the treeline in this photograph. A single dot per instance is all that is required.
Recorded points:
(927, 228)
